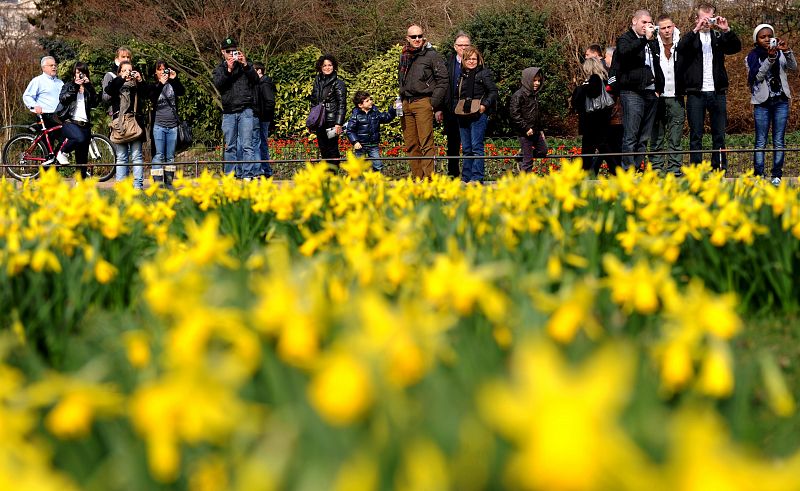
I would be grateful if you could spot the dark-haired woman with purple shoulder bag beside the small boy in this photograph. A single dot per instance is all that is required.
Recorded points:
(331, 91)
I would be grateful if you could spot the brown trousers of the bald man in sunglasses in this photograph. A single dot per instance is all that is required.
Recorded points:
(417, 125)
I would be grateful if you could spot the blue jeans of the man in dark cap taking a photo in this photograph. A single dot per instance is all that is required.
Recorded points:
(237, 130)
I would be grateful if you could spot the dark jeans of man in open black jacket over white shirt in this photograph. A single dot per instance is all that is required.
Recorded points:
(697, 103)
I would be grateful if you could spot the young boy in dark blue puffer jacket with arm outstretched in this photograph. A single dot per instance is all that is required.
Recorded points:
(363, 128)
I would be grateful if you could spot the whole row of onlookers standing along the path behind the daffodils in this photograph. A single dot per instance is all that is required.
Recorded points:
(634, 99)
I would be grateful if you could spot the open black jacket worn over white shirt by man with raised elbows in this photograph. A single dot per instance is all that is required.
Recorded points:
(689, 63)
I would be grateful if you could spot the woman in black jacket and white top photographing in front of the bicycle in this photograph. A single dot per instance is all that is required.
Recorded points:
(76, 101)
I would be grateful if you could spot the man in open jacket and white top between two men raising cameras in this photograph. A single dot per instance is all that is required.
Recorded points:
(671, 112)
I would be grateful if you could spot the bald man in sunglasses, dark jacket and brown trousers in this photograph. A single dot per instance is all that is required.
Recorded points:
(422, 78)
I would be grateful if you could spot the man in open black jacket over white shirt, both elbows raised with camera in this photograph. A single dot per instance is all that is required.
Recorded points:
(701, 66)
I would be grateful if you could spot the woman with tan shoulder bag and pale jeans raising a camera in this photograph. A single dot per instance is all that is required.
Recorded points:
(128, 92)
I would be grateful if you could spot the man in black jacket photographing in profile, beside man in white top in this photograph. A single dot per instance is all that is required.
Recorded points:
(640, 82)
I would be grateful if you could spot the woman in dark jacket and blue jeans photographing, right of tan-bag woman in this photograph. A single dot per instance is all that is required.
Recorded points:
(164, 98)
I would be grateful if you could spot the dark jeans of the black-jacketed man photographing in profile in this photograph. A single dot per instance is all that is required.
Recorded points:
(638, 116)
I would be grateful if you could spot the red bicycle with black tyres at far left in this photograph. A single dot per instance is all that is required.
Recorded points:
(25, 154)
